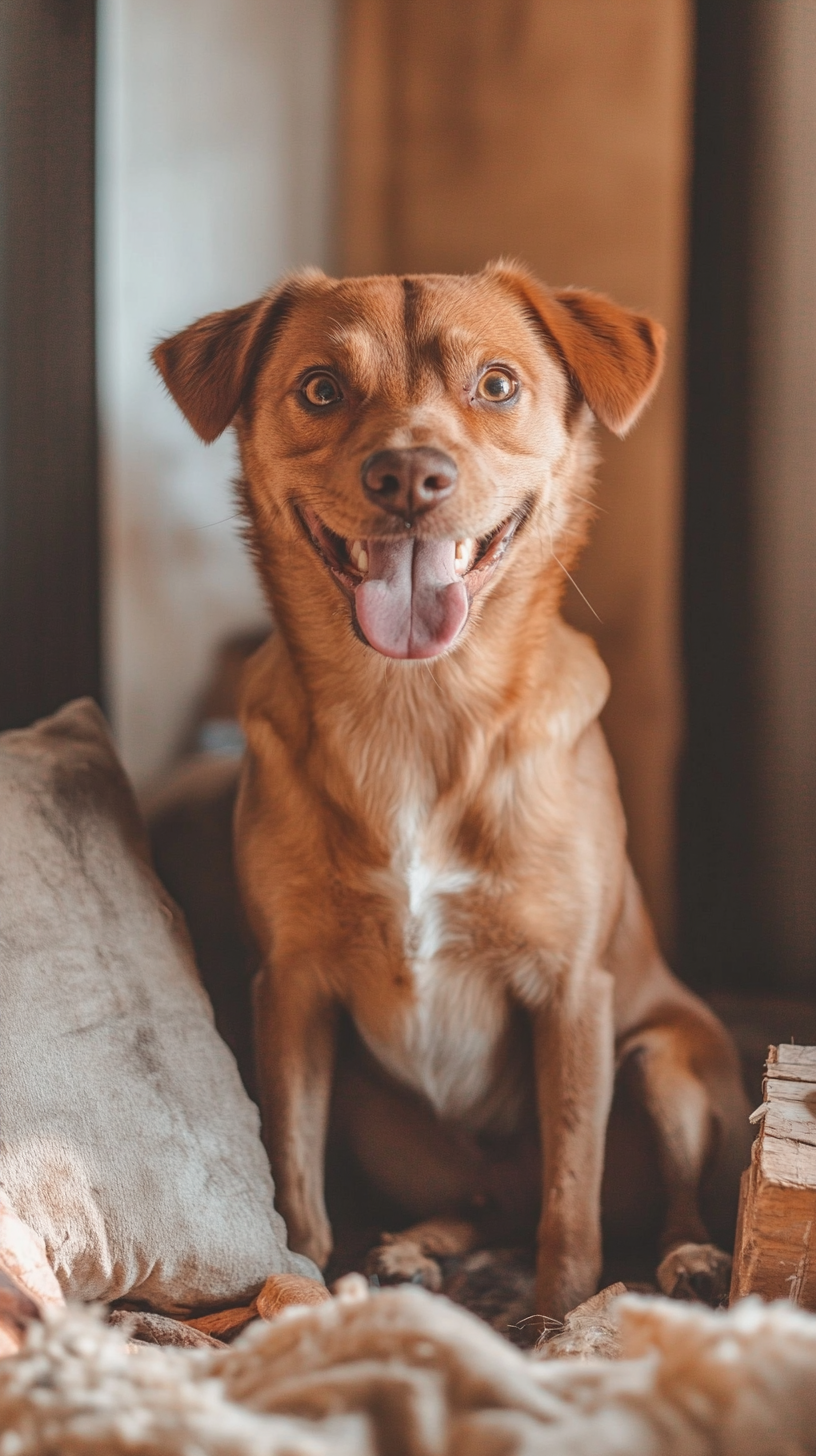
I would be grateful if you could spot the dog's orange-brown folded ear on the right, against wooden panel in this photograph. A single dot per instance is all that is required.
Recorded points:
(613, 356)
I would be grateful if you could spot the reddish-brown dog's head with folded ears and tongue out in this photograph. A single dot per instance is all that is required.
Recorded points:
(404, 436)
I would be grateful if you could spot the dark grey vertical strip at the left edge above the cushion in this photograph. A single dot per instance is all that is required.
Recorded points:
(49, 494)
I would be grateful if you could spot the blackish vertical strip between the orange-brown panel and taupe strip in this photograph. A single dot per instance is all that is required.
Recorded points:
(719, 921)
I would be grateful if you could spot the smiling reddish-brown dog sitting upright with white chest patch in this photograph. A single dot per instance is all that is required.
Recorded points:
(429, 832)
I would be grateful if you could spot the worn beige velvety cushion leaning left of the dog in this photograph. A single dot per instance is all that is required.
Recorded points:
(127, 1141)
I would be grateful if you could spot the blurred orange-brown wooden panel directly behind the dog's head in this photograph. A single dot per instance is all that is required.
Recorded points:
(557, 133)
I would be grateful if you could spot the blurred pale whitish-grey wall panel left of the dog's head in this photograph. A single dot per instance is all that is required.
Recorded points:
(215, 175)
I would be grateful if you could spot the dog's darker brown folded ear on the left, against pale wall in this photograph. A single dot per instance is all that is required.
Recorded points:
(209, 368)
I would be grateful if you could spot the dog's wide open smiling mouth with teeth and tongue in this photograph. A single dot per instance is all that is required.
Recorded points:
(410, 595)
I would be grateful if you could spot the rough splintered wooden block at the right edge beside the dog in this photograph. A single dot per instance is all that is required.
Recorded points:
(776, 1246)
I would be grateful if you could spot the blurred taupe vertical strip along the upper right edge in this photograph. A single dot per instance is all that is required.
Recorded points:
(785, 472)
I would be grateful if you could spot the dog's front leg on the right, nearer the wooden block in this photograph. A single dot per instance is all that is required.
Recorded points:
(575, 1055)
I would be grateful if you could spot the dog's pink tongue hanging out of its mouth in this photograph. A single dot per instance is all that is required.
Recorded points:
(412, 604)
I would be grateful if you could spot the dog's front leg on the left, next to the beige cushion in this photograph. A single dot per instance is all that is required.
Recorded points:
(295, 1046)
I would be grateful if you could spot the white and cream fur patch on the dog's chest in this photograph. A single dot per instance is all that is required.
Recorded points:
(447, 1030)
